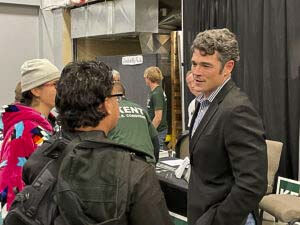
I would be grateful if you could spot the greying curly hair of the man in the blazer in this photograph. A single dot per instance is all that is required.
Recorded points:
(221, 40)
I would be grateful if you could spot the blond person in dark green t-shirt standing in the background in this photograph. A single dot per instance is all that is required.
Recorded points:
(157, 103)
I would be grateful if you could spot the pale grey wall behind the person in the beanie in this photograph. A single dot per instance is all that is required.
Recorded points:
(26, 32)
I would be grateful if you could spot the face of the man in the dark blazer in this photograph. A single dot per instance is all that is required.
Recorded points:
(208, 72)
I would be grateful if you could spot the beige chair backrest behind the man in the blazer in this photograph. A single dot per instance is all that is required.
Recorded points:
(274, 149)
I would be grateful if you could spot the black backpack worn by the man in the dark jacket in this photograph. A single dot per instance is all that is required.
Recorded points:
(35, 204)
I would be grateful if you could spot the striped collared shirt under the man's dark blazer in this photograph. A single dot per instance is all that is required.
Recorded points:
(204, 104)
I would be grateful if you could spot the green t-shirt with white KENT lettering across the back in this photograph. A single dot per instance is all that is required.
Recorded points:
(134, 128)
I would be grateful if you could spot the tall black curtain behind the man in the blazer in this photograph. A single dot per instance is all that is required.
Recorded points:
(268, 32)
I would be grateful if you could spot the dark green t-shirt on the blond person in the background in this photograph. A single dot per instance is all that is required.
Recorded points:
(157, 100)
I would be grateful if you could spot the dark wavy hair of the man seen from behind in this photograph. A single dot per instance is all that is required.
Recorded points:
(82, 87)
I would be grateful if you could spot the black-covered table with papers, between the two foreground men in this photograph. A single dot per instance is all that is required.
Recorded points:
(175, 190)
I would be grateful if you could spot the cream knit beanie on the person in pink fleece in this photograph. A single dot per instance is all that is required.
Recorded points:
(36, 72)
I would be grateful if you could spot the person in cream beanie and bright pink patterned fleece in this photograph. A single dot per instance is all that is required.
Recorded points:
(26, 124)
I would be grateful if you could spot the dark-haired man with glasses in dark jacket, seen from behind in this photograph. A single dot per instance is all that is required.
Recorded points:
(98, 181)
